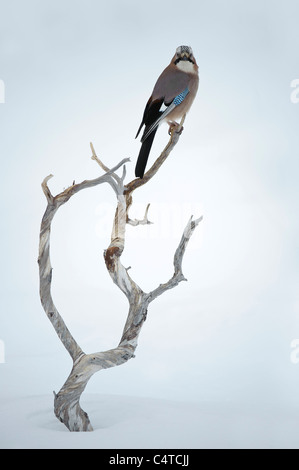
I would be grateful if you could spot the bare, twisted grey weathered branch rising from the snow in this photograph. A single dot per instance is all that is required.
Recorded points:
(66, 402)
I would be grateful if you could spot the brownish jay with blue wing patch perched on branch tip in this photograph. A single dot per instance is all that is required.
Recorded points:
(171, 98)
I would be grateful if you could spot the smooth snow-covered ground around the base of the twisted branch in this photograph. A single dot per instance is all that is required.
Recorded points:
(124, 422)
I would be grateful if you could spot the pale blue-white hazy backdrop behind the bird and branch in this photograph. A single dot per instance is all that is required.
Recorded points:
(81, 71)
